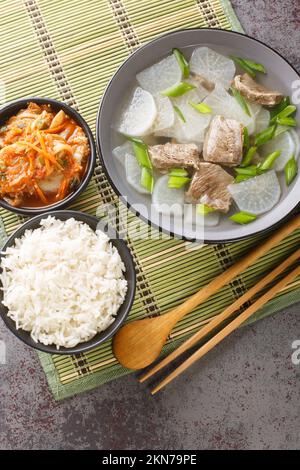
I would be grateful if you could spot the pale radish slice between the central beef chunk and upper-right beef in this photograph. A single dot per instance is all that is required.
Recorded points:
(222, 103)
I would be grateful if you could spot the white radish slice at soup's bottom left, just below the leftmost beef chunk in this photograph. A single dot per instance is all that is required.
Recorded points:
(167, 200)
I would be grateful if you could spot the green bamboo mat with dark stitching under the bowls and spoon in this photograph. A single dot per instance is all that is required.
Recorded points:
(68, 50)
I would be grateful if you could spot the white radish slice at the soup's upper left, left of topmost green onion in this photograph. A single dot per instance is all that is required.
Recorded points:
(160, 76)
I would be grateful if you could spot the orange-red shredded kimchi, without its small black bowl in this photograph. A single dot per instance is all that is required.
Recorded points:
(43, 156)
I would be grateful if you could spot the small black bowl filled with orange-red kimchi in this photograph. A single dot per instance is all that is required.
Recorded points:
(50, 152)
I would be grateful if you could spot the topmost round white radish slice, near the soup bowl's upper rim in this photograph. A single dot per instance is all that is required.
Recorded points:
(212, 66)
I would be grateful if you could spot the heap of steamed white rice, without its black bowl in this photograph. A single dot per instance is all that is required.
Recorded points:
(63, 282)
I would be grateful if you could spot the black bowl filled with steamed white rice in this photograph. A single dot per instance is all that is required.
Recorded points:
(66, 286)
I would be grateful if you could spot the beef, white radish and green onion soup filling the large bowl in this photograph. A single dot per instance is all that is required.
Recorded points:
(200, 132)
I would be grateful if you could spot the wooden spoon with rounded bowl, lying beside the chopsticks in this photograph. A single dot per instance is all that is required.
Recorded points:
(139, 343)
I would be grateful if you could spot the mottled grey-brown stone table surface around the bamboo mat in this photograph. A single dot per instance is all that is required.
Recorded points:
(243, 395)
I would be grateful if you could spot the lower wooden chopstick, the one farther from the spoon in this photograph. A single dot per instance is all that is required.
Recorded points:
(228, 329)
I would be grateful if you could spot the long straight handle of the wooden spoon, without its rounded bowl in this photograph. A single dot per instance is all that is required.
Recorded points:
(203, 294)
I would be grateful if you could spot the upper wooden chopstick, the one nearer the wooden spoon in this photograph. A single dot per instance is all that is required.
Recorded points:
(223, 316)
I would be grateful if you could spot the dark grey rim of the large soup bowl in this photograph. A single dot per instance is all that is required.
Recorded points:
(128, 205)
